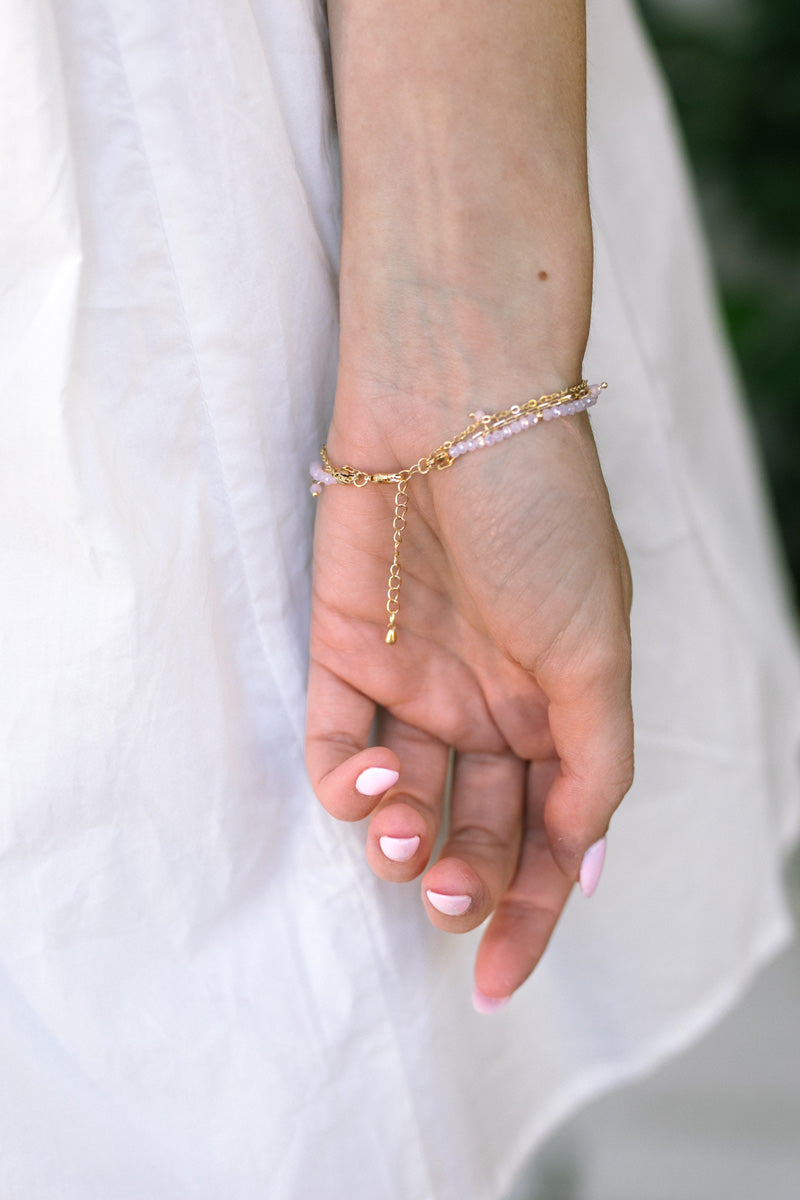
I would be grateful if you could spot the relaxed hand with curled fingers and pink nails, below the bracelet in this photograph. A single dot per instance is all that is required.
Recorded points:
(513, 650)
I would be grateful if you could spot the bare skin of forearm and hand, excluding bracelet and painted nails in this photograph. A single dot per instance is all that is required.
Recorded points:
(466, 283)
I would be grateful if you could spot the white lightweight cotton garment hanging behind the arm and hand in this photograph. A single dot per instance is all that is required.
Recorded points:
(203, 991)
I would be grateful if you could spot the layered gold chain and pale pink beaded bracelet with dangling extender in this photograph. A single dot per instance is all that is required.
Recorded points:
(485, 430)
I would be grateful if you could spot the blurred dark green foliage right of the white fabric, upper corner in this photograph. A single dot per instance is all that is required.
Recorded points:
(733, 67)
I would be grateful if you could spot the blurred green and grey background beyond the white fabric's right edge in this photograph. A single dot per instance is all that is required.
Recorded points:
(724, 1120)
